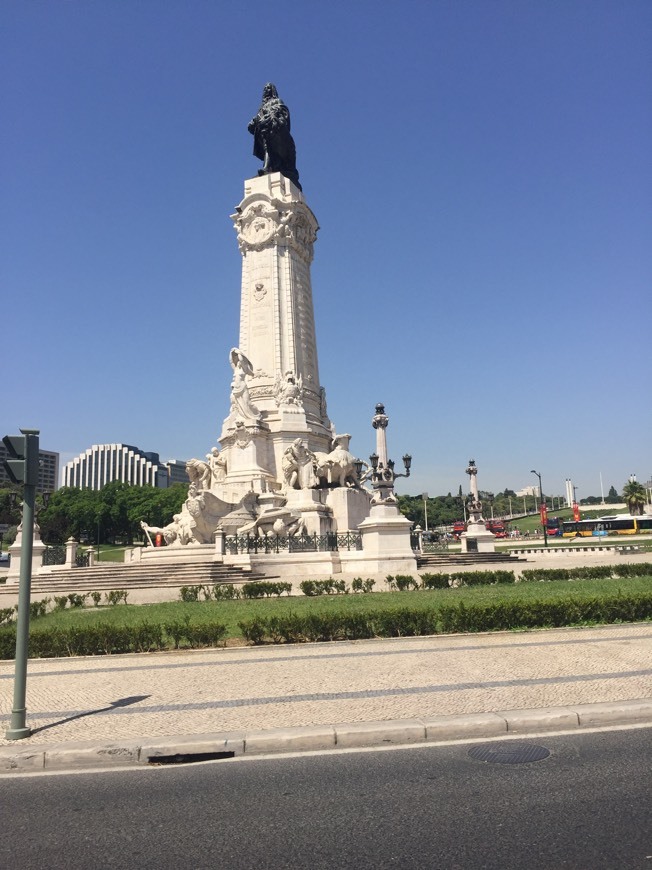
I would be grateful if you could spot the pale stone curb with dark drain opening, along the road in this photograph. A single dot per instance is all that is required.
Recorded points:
(19, 758)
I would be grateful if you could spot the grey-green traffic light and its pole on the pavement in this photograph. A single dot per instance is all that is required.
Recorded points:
(23, 468)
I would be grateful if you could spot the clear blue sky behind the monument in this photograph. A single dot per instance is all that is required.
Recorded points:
(481, 174)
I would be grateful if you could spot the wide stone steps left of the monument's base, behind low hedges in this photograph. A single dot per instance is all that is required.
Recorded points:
(102, 578)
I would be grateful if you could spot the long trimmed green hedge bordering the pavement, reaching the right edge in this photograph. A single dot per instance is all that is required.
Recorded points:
(453, 618)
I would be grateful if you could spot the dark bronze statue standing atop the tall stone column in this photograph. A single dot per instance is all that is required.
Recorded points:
(273, 143)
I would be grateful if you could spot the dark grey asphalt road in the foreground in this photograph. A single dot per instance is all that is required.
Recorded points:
(586, 806)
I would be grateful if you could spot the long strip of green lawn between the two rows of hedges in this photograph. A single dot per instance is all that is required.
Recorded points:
(231, 612)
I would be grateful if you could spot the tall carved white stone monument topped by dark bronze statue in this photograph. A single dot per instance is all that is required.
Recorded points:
(280, 466)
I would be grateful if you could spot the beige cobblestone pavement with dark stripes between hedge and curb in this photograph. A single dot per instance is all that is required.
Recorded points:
(198, 692)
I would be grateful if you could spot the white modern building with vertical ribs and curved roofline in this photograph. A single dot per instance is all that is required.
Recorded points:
(103, 463)
